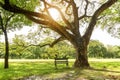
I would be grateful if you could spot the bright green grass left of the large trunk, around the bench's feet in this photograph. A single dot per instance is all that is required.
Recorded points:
(22, 69)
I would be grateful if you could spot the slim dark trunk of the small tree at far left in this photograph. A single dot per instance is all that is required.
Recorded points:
(6, 65)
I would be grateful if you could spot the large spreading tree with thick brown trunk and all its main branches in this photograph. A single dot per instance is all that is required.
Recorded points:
(73, 14)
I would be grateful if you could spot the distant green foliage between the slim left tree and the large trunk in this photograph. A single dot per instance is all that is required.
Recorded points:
(20, 48)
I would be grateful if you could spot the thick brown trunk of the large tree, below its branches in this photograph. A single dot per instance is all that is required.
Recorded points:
(81, 55)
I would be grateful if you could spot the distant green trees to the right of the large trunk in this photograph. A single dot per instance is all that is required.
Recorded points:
(98, 50)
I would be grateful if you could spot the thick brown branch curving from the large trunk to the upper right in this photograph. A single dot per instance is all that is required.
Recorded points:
(94, 18)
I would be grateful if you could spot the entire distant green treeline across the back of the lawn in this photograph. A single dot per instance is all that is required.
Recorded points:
(20, 49)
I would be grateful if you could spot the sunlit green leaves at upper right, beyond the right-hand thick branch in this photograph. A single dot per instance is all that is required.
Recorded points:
(108, 20)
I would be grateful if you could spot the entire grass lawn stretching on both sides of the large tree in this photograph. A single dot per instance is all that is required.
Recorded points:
(101, 70)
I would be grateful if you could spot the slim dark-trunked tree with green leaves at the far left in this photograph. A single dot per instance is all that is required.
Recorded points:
(10, 21)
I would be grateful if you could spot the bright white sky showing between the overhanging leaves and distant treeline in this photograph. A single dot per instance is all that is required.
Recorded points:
(98, 34)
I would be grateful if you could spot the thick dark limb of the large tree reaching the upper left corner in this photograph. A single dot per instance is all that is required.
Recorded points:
(35, 16)
